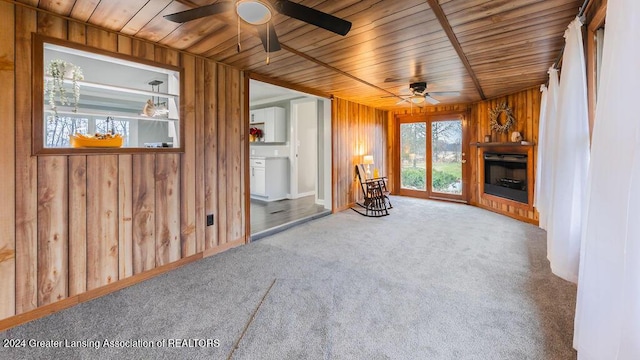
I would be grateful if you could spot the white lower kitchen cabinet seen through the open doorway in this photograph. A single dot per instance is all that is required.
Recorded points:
(269, 178)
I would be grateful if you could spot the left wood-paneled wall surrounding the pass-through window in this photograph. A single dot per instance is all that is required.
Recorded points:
(82, 222)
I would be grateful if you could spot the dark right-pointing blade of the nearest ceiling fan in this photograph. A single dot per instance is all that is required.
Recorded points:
(313, 16)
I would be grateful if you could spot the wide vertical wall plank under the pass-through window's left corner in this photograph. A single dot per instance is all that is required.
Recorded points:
(52, 229)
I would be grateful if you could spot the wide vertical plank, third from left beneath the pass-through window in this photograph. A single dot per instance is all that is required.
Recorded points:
(102, 220)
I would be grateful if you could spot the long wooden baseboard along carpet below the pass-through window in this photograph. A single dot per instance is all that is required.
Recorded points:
(49, 309)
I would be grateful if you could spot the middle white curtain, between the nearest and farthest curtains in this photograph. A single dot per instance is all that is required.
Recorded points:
(570, 157)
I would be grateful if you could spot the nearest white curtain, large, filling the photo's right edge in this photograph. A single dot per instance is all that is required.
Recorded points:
(607, 323)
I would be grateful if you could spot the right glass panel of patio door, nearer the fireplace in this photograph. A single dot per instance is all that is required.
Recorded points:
(446, 157)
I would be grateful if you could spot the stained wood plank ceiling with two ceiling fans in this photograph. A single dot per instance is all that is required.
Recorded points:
(481, 48)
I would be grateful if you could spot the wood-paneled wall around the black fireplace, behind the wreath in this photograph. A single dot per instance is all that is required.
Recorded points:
(526, 111)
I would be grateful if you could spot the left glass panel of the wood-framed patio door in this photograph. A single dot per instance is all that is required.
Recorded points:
(413, 165)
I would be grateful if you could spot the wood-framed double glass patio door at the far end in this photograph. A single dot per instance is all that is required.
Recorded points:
(432, 157)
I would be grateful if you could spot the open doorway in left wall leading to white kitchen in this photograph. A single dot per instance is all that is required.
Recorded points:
(289, 177)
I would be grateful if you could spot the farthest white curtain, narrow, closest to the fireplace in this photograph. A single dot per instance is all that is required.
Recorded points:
(545, 148)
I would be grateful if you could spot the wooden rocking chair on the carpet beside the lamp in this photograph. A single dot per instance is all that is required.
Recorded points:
(376, 201)
